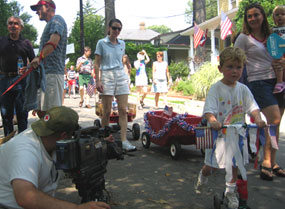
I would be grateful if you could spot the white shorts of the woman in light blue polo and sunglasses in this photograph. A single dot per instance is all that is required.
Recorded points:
(115, 82)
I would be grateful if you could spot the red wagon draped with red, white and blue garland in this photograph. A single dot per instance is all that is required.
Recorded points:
(172, 131)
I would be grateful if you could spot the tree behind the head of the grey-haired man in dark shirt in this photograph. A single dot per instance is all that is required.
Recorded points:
(14, 8)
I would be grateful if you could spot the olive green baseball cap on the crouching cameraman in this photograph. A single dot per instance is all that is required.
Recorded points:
(57, 119)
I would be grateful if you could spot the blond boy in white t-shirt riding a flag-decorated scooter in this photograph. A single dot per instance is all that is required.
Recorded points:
(227, 103)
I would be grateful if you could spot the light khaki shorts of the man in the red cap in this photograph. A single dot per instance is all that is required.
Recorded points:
(52, 97)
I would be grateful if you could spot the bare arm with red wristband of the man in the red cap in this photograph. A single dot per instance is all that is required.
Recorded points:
(47, 49)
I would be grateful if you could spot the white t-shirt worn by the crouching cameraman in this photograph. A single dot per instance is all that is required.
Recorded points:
(24, 157)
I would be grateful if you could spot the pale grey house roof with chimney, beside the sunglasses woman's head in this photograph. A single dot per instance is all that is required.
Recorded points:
(137, 34)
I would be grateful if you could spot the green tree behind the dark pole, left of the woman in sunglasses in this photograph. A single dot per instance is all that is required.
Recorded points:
(93, 30)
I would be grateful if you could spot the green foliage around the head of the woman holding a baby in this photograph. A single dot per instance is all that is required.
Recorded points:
(268, 6)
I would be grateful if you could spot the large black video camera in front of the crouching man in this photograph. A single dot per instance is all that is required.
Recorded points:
(84, 158)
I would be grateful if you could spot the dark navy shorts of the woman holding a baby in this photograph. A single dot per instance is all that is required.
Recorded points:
(262, 93)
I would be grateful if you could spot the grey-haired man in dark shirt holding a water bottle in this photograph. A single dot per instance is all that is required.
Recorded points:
(13, 50)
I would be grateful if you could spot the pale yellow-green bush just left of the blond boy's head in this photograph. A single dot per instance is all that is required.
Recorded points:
(204, 78)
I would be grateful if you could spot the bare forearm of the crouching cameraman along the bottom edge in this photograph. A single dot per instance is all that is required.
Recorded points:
(29, 197)
